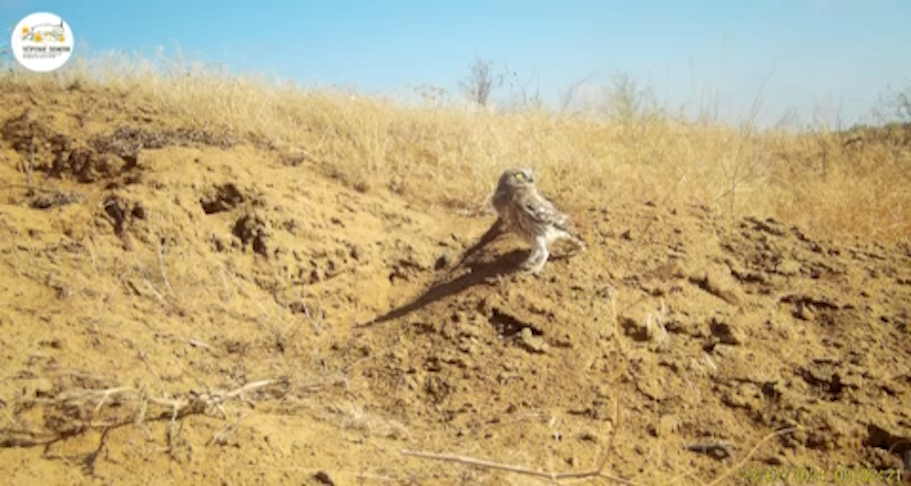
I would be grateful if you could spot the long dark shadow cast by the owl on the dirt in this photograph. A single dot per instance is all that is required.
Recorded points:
(478, 272)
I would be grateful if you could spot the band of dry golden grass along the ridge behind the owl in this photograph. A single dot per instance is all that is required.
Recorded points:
(451, 156)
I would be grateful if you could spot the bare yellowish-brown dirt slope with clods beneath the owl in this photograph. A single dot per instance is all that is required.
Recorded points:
(148, 267)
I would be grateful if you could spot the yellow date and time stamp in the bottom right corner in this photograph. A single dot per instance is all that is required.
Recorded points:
(813, 475)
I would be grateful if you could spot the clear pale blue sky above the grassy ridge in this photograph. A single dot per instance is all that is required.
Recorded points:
(822, 58)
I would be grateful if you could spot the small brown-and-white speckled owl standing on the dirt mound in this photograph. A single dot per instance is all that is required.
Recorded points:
(526, 212)
